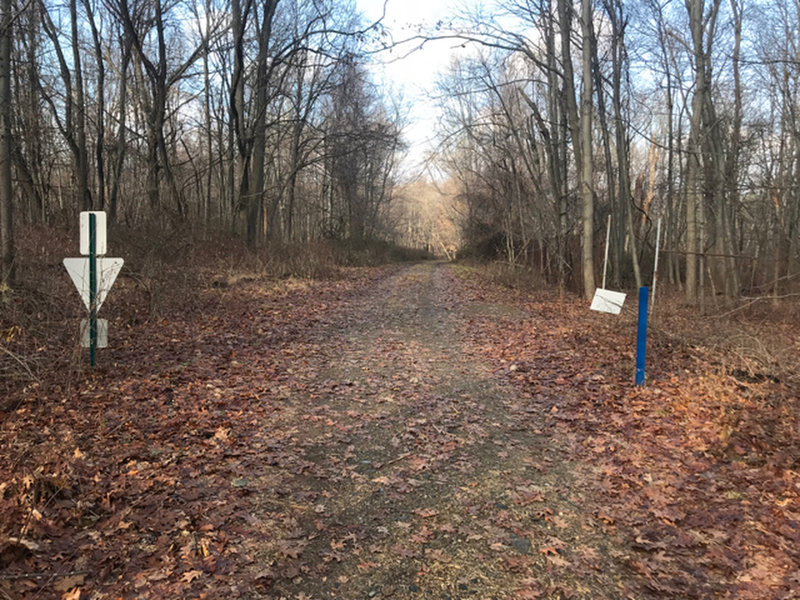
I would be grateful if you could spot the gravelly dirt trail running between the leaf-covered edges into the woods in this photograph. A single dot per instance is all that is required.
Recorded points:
(427, 477)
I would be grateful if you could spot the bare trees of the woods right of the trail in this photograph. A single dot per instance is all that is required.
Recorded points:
(678, 111)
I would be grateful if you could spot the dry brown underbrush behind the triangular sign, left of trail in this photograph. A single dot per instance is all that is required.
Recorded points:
(163, 275)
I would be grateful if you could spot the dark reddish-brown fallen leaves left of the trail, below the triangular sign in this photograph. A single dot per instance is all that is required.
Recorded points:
(166, 451)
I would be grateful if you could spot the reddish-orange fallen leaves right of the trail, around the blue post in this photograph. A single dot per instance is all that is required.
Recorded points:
(680, 454)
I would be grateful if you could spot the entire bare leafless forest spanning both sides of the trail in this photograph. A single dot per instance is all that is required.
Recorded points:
(263, 120)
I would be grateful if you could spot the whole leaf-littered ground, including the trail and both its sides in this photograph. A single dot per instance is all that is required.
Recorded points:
(266, 454)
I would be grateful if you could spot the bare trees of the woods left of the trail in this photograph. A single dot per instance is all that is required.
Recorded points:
(255, 118)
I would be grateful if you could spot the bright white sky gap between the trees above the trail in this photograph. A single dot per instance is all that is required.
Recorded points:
(413, 74)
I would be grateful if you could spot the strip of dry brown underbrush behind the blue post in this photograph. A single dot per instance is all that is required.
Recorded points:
(735, 366)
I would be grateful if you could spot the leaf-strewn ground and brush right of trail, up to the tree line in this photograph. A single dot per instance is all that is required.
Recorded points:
(702, 464)
